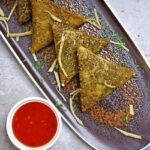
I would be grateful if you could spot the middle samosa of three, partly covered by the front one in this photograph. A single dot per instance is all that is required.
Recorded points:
(73, 38)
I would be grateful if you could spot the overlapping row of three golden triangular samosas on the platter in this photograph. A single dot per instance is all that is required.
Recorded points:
(76, 51)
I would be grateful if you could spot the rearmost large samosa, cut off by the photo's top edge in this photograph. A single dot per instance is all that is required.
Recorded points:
(44, 14)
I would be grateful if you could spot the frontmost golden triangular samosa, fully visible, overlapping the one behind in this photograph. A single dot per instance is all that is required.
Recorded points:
(98, 77)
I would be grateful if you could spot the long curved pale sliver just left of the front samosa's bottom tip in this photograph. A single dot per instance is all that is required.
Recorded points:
(72, 109)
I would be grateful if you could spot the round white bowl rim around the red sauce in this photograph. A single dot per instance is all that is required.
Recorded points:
(9, 129)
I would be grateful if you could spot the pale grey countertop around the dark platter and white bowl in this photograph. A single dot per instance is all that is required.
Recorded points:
(15, 85)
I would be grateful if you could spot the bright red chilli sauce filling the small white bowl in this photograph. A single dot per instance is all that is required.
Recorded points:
(34, 124)
